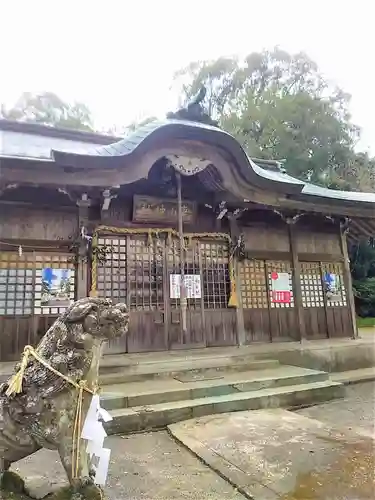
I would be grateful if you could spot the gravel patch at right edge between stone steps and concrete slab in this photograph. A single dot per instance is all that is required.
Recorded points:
(355, 411)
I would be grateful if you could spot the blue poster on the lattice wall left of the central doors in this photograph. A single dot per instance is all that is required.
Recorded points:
(56, 287)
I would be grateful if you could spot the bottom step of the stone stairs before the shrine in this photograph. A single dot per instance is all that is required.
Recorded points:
(158, 416)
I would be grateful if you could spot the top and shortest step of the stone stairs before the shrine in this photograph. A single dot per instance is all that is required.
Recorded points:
(195, 369)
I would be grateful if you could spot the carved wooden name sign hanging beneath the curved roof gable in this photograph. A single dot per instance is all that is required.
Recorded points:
(149, 209)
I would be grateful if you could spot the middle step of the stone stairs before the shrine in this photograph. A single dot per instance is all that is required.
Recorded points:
(156, 391)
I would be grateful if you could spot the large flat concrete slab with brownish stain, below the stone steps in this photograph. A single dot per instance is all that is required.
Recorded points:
(279, 455)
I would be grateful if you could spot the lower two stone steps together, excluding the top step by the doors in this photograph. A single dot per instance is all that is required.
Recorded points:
(157, 402)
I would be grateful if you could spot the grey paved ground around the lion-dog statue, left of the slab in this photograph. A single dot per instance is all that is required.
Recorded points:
(146, 467)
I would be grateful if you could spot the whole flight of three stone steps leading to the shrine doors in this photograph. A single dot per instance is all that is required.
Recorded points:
(150, 391)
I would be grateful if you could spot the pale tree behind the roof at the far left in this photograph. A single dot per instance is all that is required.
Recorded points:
(49, 109)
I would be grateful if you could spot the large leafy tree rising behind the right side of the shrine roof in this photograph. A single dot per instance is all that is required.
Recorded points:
(279, 106)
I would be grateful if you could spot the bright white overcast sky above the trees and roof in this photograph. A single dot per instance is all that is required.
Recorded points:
(119, 56)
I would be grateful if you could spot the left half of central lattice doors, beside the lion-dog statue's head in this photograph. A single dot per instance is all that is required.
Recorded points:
(134, 273)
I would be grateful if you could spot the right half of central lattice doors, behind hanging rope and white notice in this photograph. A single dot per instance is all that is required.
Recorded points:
(209, 320)
